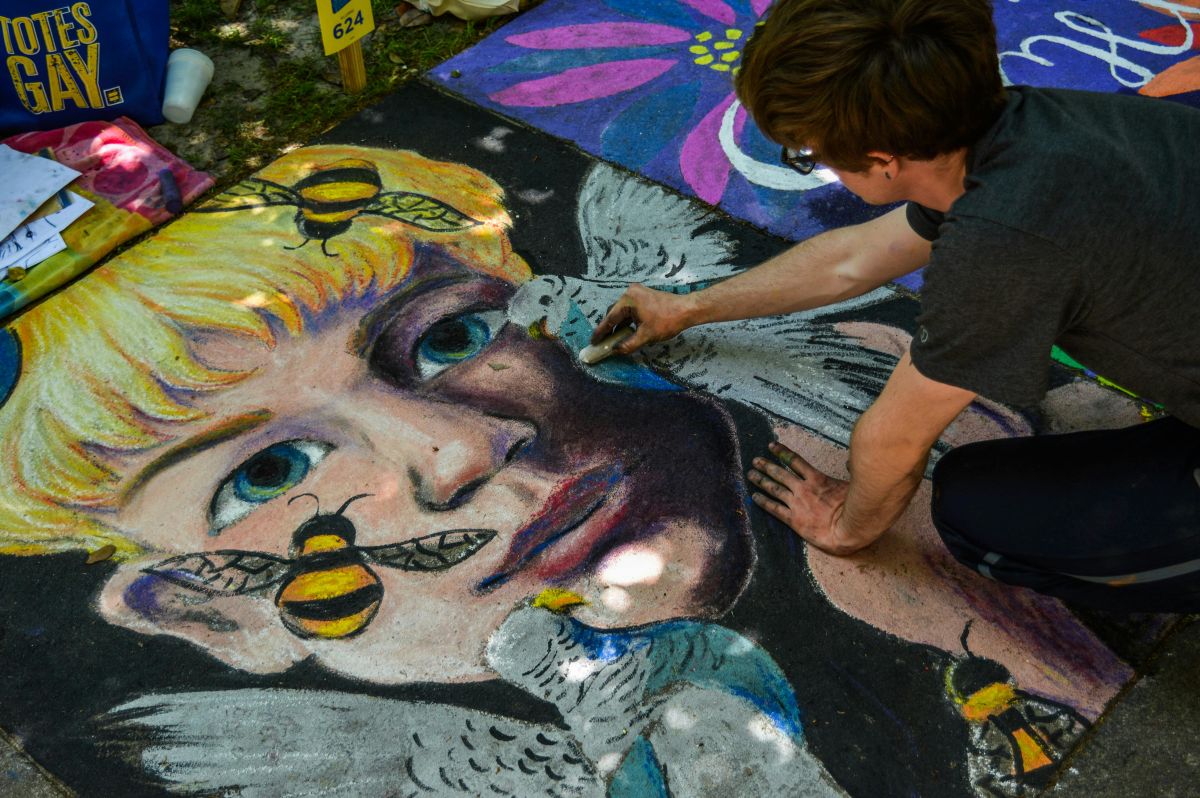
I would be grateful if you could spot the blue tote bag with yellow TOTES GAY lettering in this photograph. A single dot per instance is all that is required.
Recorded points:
(68, 63)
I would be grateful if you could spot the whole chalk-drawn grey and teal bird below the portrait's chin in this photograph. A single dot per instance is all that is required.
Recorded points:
(679, 709)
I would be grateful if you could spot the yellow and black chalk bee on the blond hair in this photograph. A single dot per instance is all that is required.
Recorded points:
(332, 197)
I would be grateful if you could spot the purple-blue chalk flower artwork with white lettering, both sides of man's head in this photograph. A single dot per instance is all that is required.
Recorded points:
(647, 85)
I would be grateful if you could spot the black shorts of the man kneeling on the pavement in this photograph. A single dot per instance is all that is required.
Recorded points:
(1107, 519)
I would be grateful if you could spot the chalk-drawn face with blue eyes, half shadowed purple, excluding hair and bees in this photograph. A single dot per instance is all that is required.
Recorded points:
(448, 418)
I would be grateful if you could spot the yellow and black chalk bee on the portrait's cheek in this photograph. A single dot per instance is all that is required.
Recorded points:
(327, 590)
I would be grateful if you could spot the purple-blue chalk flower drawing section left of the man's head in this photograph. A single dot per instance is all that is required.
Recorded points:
(649, 85)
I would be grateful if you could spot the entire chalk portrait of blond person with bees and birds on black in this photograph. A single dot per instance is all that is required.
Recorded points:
(364, 521)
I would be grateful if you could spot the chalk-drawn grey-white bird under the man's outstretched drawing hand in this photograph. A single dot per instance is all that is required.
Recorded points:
(797, 368)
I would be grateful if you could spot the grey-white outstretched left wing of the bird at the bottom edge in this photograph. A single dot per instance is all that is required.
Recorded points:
(268, 743)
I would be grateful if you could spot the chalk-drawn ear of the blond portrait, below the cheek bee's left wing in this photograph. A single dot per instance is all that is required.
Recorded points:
(241, 631)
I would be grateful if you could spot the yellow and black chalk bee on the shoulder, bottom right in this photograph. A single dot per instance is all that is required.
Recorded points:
(1017, 739)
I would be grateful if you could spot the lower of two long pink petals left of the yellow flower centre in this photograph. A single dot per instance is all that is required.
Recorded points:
(583, 83)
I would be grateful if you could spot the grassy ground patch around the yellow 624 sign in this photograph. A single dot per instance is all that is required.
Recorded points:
(301, 94)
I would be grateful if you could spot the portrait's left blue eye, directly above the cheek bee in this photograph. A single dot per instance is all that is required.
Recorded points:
(267, 476)
